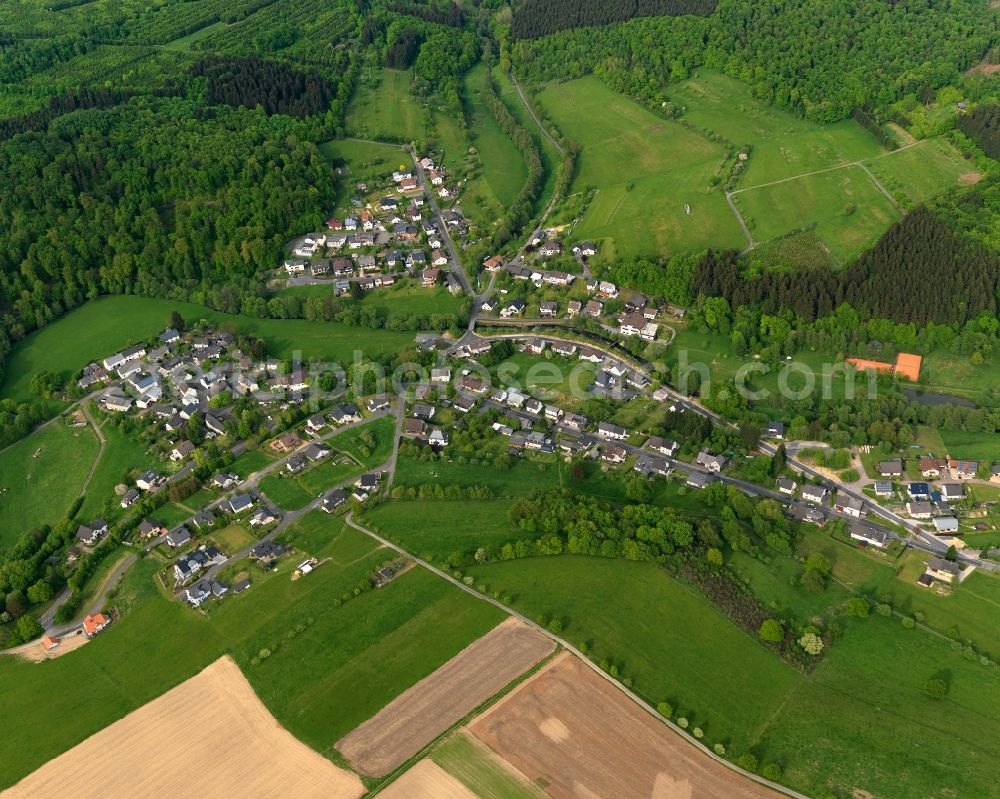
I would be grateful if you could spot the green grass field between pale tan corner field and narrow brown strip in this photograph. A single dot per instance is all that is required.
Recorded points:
(383, 640)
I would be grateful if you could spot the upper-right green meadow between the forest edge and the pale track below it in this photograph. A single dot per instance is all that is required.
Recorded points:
(782, 145)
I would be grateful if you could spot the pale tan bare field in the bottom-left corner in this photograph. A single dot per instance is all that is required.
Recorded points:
(212, 727)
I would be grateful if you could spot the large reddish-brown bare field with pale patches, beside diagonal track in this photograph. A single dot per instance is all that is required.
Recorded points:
(573, 732)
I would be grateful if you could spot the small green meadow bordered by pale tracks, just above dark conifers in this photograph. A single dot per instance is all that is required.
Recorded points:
(848, 211)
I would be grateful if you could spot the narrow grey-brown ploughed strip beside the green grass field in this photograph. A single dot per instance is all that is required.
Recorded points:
(417, 716)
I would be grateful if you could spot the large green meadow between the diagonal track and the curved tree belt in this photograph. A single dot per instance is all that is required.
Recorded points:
(670, 641)
